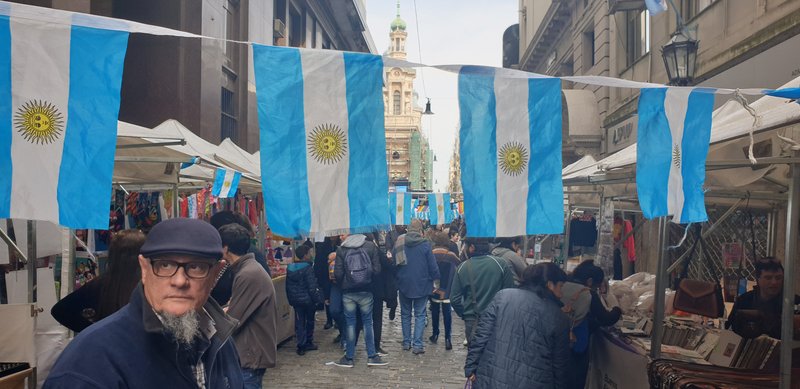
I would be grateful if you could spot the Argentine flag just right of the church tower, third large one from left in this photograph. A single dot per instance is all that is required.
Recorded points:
(510, 154)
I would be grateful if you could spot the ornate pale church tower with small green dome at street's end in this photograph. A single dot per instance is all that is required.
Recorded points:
(407, 150)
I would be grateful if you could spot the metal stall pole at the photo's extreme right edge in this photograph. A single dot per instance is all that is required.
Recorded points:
(787, 328)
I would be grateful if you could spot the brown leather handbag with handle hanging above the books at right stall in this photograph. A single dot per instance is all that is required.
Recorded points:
(696, 296)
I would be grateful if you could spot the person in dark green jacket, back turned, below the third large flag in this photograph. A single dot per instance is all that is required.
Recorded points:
(476, 282)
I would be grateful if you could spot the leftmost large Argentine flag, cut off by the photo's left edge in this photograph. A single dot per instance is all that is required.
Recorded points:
(60, 87)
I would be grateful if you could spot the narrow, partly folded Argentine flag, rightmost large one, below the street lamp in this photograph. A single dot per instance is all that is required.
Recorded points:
(674, 134)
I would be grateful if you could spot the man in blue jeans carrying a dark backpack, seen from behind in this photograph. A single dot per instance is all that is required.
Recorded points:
(356, 265)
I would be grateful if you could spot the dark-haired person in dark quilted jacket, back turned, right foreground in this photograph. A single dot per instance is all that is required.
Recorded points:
(522, 338)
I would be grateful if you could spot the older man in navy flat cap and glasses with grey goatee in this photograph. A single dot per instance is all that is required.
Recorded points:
(170, 335)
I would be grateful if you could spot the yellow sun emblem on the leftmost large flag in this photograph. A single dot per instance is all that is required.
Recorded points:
(39, 121)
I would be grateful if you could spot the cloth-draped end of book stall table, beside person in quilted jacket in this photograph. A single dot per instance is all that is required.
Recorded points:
(615, 365)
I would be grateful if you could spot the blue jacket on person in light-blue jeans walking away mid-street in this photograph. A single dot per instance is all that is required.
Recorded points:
(415, 278)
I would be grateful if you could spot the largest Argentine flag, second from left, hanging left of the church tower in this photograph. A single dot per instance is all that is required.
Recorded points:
(322, 140)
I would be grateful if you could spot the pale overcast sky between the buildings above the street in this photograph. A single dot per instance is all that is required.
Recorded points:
(463, 32)
